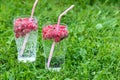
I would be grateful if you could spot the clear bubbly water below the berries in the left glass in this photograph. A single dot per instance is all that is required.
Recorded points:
(30, 49)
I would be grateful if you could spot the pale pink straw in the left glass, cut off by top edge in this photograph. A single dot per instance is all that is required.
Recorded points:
(27, 35)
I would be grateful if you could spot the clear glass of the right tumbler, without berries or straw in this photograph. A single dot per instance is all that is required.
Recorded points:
(58, 56)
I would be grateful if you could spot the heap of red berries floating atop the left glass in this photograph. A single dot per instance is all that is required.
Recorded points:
(22, 26)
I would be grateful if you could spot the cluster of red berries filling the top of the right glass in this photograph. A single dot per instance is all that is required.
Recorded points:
(57, 34)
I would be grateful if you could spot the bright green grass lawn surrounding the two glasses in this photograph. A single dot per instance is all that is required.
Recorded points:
(93, 48)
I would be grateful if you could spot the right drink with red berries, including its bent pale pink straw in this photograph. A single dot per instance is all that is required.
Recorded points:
(57, 33)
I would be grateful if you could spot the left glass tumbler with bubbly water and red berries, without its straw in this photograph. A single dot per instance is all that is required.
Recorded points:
(22, 27)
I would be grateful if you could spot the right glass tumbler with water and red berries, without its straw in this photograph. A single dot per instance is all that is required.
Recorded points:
(50, 33)
